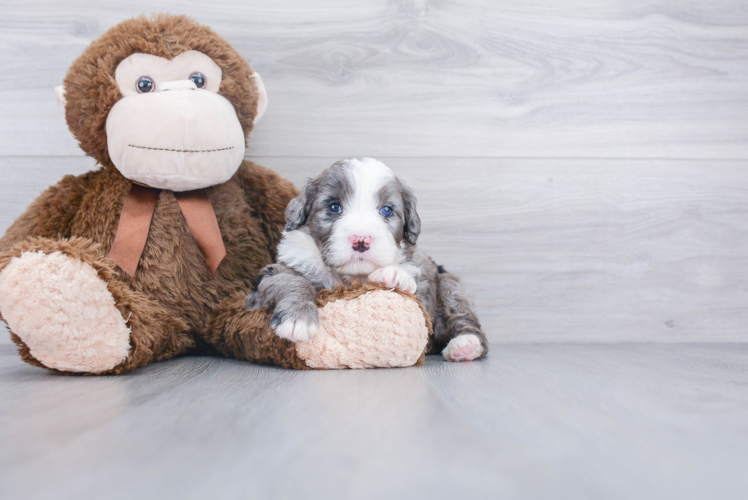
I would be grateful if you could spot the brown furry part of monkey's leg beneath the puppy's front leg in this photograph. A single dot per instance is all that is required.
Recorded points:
(239, 333)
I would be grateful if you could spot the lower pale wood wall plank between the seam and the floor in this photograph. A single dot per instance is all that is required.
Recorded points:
(557, 250)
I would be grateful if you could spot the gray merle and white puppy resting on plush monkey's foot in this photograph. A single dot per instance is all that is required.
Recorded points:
(357, 221)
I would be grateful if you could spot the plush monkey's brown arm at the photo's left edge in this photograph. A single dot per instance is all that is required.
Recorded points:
(50, 215)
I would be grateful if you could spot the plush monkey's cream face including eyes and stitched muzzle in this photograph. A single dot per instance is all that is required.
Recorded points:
(171, 129)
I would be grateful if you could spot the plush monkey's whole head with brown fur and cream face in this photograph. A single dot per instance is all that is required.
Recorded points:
(165, 101)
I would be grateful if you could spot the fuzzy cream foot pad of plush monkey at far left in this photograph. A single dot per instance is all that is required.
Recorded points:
(63, 312)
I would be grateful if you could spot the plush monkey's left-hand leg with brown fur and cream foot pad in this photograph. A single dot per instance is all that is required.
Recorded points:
(68, 311)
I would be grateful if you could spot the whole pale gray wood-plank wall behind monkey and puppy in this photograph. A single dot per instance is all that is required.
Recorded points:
(582, 164)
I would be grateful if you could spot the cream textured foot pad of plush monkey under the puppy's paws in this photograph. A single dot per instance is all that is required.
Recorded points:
(377, 329)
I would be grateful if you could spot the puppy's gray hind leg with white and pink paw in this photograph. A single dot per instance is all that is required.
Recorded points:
(459, 331)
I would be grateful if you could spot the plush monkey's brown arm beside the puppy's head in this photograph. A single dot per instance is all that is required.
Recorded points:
(268, 194)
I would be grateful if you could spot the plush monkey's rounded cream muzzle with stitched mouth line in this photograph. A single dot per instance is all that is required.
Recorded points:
(180, 138)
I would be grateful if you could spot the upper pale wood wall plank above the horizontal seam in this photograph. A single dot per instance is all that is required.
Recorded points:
(655, 79)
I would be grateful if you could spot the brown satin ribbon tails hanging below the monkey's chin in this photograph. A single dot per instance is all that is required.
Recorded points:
(135, 222)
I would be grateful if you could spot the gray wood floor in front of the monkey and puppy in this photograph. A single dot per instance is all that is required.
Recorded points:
(533, 421)
